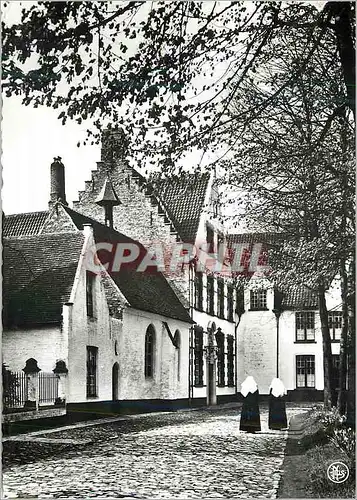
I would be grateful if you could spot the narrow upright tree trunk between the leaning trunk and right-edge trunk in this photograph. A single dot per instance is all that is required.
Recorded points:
(341, 400)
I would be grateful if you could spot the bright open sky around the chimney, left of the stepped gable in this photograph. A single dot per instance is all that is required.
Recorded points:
(31, 138)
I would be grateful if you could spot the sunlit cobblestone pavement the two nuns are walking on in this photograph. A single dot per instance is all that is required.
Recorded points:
(198, 454)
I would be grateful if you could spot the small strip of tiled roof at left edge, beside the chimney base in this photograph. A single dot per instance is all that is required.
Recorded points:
(24, 224)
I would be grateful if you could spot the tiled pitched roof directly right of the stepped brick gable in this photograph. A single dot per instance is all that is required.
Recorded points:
(183, 198)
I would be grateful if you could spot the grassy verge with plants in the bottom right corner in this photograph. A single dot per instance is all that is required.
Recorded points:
(317, 439)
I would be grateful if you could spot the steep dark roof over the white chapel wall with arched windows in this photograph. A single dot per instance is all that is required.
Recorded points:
(147, 291)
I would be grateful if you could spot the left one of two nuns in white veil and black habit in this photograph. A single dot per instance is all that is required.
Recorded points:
(250, 416)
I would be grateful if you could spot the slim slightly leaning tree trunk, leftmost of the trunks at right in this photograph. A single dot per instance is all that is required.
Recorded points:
(326, 344)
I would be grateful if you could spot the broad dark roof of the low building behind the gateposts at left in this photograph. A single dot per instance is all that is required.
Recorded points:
(38, 275)
